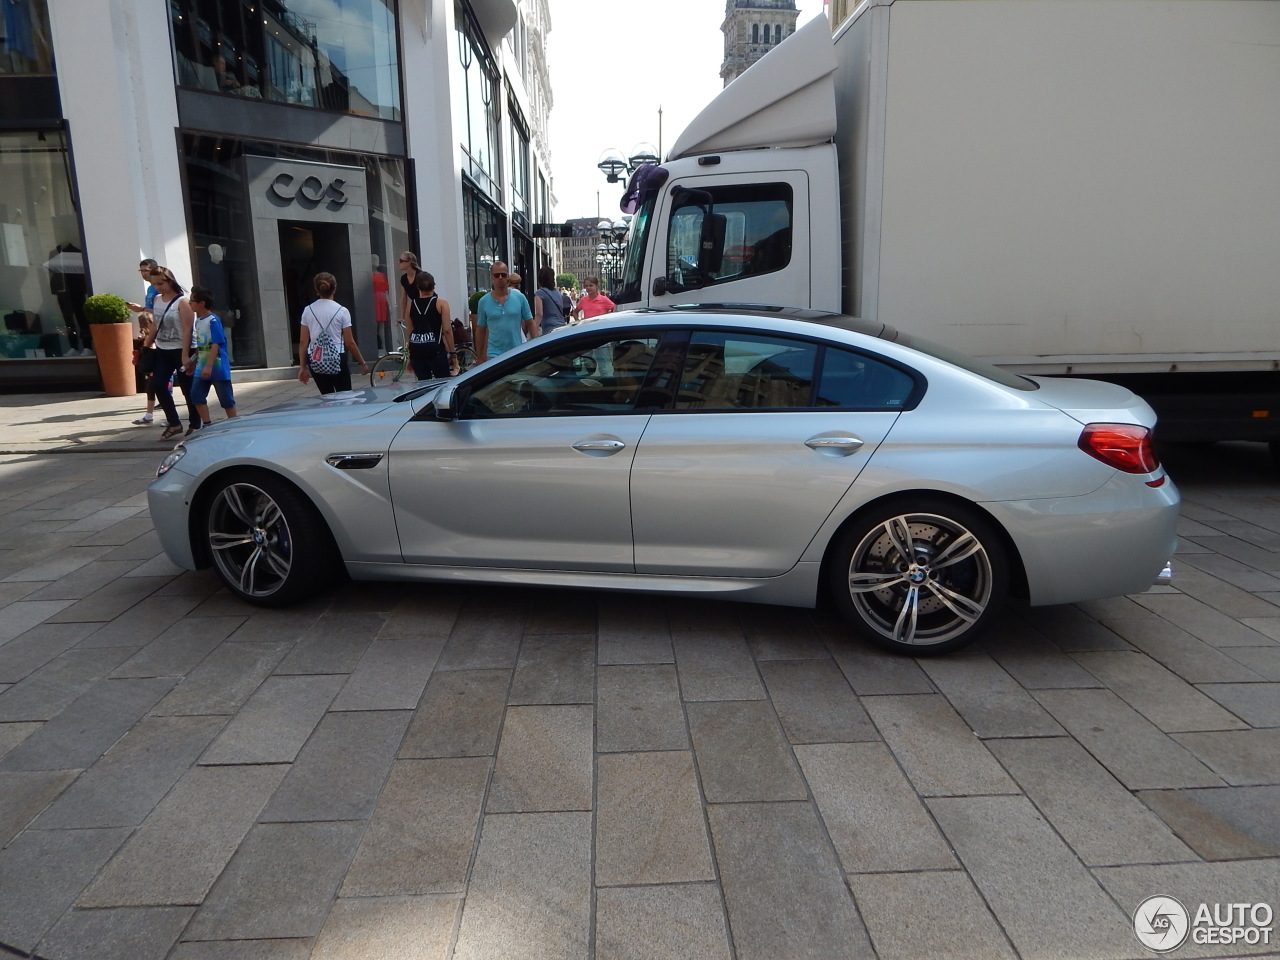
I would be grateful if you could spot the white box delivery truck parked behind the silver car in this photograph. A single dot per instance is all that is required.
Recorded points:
(1071, 188)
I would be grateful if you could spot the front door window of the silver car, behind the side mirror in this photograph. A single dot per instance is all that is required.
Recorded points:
(580, 378)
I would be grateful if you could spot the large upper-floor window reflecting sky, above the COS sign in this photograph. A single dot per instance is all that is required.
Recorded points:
(328, 54)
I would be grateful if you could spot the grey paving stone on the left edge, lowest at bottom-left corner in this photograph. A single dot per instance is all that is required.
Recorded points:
(43, 872)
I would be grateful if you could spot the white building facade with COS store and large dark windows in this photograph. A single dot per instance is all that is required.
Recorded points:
(252, 144)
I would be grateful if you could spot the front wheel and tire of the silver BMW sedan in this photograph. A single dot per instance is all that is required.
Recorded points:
(268, 543)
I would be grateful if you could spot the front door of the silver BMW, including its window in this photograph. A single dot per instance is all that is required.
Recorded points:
(536, 470)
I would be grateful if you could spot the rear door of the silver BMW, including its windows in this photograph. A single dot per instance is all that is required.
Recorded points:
(765, 437)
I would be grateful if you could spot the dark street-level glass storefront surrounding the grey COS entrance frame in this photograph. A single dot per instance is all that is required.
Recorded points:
(222, 231)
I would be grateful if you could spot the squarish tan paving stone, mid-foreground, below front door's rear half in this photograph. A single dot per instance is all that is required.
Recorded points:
(545, 761)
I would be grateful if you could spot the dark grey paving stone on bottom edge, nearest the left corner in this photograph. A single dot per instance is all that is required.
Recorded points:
(130, 934)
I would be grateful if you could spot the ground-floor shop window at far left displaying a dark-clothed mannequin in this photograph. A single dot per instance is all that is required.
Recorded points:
(43, 281)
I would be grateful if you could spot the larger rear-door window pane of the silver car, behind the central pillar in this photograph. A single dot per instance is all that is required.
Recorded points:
(743, 372)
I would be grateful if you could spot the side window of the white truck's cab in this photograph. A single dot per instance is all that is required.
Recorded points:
(729, 232)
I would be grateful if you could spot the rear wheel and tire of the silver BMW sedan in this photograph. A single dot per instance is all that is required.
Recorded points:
(915, 604)
